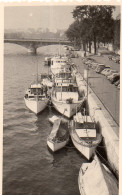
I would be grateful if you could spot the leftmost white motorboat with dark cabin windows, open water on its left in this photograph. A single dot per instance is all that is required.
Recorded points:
(36, 97)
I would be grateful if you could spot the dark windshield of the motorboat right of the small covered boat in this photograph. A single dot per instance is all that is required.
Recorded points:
(85, 125)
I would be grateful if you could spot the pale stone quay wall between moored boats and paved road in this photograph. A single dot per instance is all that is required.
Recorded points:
(107, 125)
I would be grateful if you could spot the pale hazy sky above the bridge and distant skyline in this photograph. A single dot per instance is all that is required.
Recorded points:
(51, 17)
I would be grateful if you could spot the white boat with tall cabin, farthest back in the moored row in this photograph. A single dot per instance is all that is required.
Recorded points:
(58, 64)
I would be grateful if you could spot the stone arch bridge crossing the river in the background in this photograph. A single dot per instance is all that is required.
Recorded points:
(33, 44)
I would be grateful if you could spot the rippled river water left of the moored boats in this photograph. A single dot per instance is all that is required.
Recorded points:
(29, 168)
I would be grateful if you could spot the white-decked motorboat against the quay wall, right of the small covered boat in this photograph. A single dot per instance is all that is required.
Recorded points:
(84, 135)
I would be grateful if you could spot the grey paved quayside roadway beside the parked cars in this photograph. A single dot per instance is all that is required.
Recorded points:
(108, 94)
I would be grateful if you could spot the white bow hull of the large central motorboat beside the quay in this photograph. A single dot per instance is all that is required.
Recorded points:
(67, 109)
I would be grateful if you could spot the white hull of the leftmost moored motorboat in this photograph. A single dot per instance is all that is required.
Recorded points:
(36, 106)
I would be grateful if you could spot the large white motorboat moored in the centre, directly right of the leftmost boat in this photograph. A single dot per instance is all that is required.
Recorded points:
(65, 97)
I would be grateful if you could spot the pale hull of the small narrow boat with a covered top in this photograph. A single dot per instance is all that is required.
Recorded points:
(54, 146)
